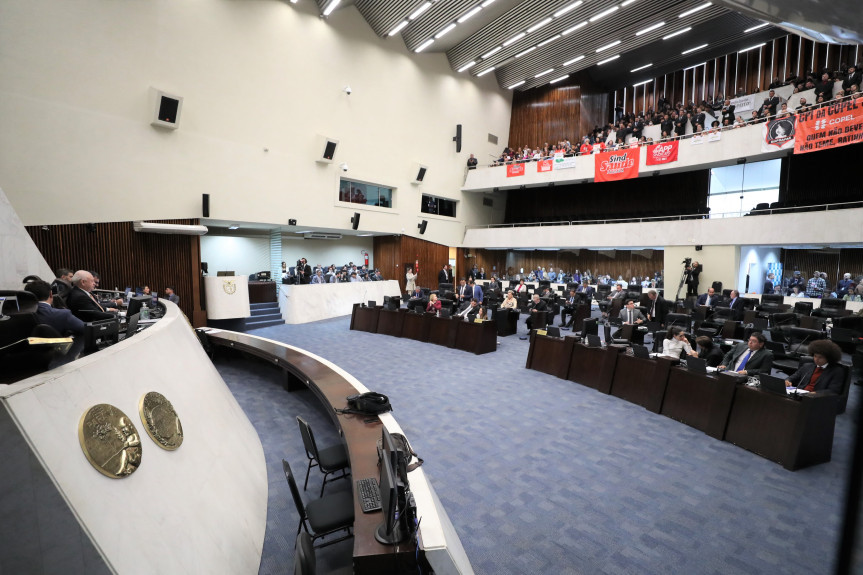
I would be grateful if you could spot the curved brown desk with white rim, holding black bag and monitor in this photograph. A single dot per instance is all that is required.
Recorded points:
(437, 540)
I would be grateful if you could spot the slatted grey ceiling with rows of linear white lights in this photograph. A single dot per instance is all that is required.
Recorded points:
(530, 43)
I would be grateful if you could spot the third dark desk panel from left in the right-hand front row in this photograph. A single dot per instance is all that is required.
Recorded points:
(641, 381)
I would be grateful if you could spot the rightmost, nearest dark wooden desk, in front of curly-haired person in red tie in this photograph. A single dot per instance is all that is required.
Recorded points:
(795, 433)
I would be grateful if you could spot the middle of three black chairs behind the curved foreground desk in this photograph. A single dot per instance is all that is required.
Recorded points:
(322, 516)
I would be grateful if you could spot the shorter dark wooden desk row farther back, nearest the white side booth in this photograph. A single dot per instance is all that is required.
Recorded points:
(454, 332)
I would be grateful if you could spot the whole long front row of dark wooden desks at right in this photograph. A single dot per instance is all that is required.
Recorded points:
(794, 432)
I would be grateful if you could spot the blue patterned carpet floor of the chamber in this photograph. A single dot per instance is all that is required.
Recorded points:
(544, 476)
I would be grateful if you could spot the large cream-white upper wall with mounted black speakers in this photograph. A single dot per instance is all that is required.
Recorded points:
(260, 80)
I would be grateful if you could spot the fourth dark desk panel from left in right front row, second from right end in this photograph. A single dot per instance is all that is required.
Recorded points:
(700, 401)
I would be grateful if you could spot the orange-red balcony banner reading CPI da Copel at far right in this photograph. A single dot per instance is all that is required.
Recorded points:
(832, 126)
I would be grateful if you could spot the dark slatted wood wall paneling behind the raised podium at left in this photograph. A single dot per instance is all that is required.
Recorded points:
(123, 257)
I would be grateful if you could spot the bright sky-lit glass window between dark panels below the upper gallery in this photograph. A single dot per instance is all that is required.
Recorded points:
(737, 190)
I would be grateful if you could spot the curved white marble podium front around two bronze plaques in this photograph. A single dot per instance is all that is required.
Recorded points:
(199, 509)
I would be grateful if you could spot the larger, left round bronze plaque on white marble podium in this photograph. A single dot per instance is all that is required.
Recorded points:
(110, 441)
